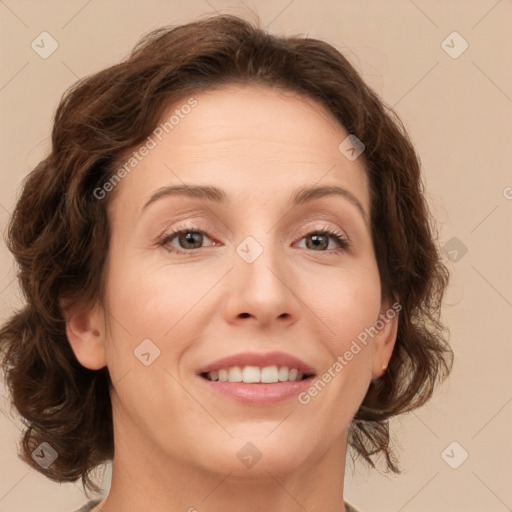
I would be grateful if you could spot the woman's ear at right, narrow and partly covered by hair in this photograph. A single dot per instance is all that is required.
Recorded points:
(385, 339)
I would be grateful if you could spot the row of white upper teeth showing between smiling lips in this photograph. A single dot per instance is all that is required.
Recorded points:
(255, 374)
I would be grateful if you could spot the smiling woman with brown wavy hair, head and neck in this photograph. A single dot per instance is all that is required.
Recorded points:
(231, 277)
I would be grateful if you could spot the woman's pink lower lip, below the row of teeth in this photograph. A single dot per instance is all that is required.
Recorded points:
(258, 393)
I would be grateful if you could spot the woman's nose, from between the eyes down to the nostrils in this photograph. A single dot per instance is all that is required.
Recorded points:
(261, 284)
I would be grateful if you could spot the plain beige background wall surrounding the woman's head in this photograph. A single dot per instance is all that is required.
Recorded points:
(458, 112)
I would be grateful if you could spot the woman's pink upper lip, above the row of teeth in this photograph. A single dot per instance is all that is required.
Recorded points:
(258, 359)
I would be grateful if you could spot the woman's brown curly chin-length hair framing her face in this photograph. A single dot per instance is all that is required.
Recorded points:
(59, 231)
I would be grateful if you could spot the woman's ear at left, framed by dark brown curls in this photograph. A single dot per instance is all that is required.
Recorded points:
(85, 329)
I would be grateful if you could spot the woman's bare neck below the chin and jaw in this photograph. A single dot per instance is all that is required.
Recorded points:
(143, 478)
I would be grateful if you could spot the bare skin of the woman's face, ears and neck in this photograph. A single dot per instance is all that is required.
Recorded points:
(176, 442)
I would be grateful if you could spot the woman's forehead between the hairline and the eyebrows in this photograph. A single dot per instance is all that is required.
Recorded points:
(246, 140)
